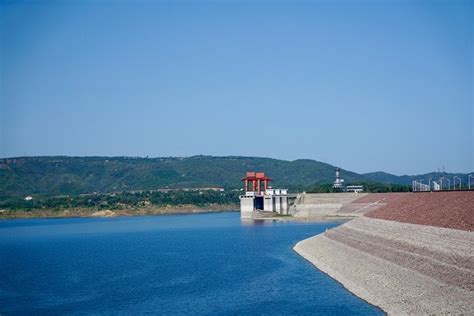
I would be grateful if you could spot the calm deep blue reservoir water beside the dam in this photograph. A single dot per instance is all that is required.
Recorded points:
(184, 264)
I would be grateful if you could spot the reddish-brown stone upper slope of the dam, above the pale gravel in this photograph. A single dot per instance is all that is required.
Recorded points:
(442, 209)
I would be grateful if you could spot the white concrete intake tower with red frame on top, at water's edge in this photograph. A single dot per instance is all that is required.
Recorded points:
(266, 200)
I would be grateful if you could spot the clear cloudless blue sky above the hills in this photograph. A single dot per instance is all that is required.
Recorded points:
(365, 85)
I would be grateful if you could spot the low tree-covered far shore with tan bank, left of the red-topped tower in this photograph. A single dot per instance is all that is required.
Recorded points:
(124, 203)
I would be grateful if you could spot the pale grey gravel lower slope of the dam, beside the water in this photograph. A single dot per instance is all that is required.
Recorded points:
(403, 268)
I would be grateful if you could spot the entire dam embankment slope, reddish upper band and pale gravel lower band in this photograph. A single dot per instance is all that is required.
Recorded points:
(400, 266)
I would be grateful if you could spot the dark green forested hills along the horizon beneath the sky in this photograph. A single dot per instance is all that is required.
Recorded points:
(57, 175)
